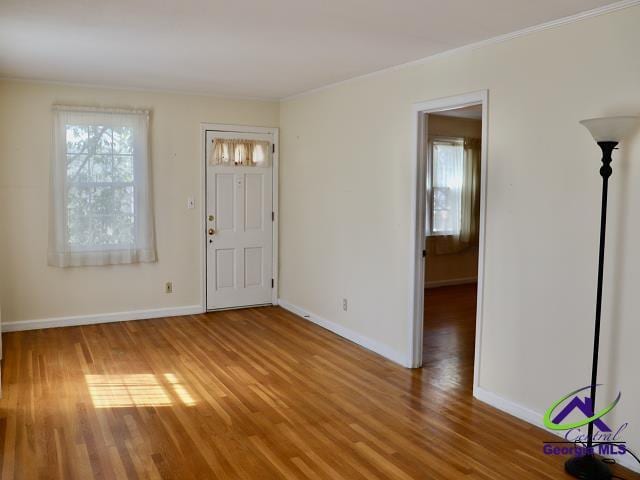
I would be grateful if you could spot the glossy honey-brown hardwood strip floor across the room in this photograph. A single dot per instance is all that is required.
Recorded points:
(255, 394)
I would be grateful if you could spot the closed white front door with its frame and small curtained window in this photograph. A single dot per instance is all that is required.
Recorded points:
(240, 185)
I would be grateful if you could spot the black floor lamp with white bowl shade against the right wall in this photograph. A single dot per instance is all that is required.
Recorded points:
(607, 132)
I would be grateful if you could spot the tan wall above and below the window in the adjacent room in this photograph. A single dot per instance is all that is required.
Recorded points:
(461, 266)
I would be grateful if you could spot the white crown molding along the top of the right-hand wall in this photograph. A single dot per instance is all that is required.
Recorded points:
(605, 9)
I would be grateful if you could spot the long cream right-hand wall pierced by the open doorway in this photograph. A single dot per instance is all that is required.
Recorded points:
(346, 197)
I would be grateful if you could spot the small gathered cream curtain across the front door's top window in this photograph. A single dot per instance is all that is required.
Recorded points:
(240, 152)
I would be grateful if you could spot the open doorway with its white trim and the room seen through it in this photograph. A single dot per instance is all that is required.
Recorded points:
(449, 256)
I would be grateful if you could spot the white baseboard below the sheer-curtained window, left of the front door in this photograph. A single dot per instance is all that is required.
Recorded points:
(100, 318)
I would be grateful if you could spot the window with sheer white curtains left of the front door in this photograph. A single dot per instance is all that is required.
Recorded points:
(101, 197)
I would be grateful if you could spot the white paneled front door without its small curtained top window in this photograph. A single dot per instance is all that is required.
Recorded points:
(239, 230)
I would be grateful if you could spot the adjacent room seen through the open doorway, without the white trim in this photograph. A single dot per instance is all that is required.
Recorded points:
(452, 221)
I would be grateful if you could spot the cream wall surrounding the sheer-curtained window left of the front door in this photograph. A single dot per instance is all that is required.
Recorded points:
(29, 289)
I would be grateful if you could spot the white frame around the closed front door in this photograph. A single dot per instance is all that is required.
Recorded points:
(204, 127)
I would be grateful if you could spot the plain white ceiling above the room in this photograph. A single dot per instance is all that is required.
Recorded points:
(255, 48)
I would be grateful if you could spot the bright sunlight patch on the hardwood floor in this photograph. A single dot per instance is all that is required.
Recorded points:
(137, 390)
